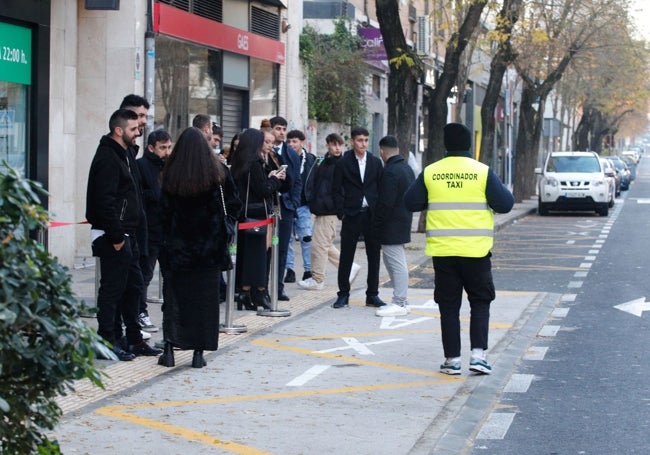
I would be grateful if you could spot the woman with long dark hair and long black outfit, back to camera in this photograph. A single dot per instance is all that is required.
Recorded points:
(195, 248)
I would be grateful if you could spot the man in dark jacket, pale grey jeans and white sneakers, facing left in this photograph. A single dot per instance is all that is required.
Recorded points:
(392, 223)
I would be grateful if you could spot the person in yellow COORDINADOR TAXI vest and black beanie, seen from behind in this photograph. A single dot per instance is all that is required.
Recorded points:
(460, 195)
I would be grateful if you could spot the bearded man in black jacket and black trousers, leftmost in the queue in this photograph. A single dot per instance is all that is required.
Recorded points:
(114, 210)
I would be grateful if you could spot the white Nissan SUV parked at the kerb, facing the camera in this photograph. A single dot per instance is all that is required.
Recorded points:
(573, 181)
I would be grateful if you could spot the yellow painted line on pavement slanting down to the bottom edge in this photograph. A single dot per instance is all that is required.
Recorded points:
(192, 435)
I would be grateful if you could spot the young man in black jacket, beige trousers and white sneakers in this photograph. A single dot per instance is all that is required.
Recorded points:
(321, 204)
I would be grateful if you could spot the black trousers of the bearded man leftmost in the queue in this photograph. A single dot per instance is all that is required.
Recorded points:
(120, 289)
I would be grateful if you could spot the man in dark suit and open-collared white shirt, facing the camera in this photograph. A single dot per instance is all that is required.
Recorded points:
(356, 191)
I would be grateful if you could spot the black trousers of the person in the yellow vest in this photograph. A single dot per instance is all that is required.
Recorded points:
(452, 275)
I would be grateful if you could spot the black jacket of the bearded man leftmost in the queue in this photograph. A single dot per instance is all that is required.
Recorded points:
(113, 200)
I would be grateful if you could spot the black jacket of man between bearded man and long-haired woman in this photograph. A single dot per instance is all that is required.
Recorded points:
(150, 166)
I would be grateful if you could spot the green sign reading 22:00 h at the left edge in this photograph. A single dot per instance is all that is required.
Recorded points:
(15, 54)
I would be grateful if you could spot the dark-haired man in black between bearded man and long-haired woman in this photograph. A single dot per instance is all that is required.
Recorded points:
(159, 146)
